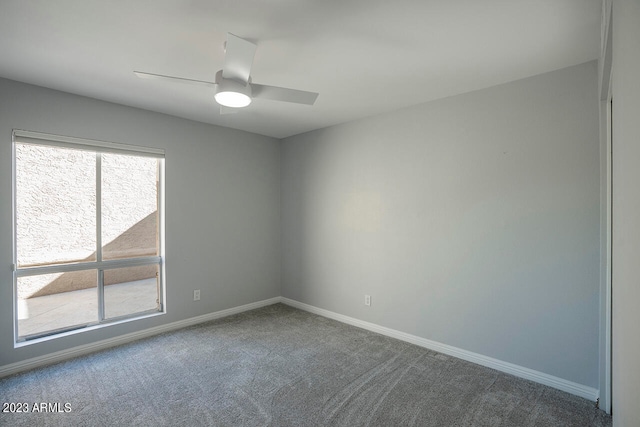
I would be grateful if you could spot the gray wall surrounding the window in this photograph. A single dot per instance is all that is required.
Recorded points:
(222, 205)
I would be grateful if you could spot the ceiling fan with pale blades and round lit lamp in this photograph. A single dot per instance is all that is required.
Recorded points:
(233, 86)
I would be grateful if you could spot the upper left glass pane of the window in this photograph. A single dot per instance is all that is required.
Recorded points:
(55, 205)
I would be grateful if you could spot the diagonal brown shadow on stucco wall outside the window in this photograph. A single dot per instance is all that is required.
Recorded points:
(139, 240)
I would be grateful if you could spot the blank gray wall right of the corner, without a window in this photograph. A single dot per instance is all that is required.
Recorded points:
(472, 221)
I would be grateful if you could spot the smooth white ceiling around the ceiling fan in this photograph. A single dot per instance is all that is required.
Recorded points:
(364, 57)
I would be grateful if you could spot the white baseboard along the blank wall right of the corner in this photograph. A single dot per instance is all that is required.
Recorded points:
(519, 371)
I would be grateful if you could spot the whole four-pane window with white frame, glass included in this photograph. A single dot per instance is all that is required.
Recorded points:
(87, 233)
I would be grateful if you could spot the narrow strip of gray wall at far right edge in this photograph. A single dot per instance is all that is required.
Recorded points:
(626, 214)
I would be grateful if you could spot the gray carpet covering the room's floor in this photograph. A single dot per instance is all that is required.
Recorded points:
(279, 366)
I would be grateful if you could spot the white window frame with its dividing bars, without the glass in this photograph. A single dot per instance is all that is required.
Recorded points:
(98, 147)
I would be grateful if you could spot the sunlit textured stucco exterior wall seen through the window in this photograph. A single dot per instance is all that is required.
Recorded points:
(56, 214)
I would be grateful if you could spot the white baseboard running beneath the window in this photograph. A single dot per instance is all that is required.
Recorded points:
(59, 356)
